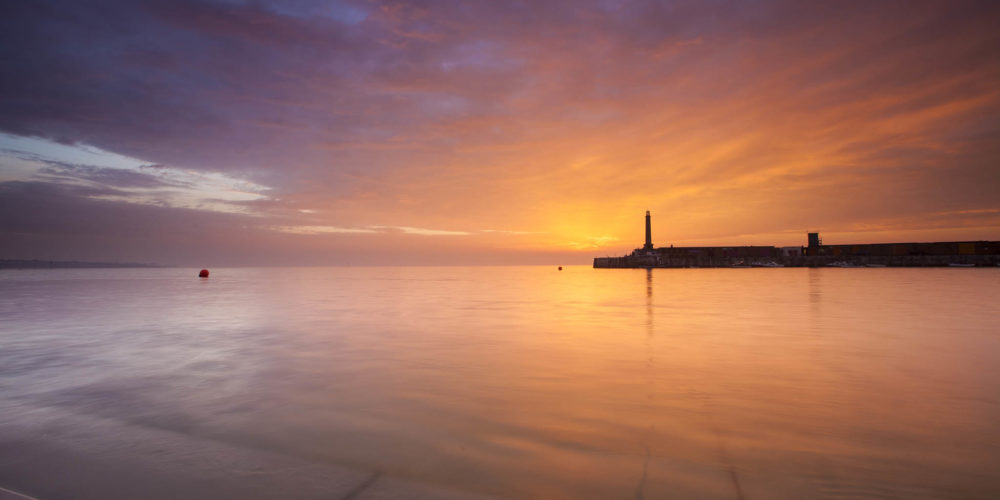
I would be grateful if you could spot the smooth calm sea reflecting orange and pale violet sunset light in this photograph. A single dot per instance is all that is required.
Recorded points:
(527, 382)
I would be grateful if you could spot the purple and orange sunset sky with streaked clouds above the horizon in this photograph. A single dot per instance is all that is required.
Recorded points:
(302, 132)
